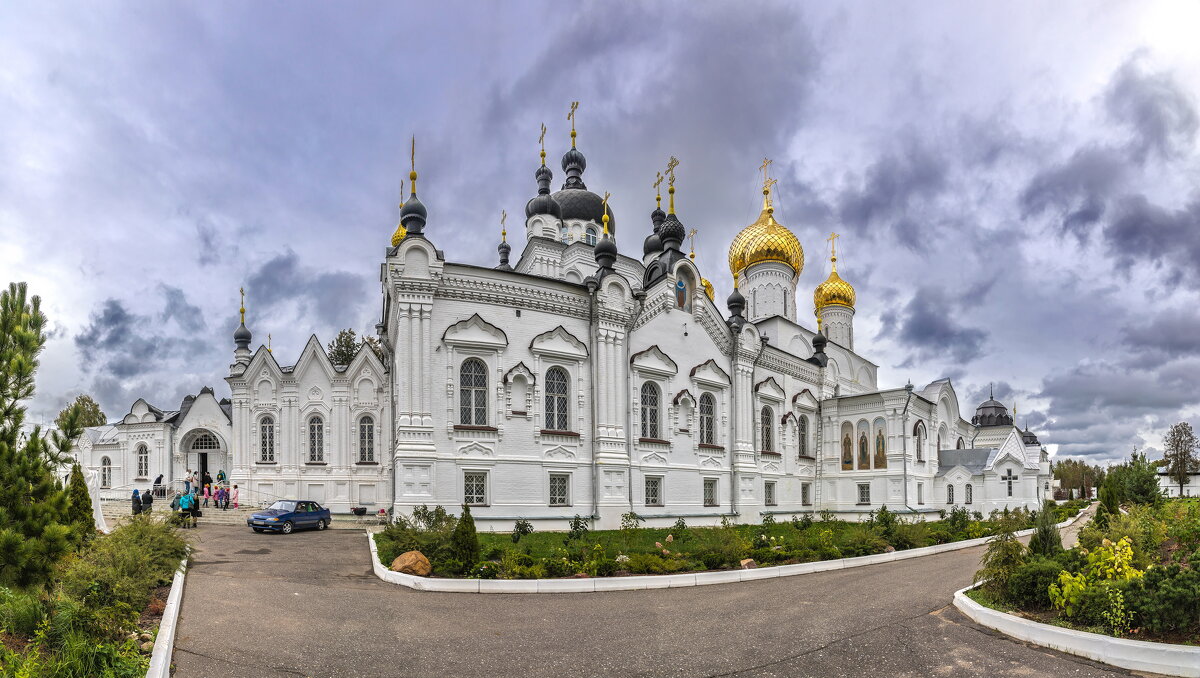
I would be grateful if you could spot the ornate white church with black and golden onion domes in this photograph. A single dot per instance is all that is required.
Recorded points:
(581, 381)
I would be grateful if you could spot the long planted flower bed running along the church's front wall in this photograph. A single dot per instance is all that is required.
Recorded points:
(635, 550)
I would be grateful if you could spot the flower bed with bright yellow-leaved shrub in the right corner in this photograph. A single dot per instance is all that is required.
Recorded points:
(1136, 574)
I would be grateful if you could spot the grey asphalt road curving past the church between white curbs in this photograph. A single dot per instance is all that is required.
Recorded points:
(307, 604)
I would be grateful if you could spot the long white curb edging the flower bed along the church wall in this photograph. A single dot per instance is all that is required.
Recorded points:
(596, 585)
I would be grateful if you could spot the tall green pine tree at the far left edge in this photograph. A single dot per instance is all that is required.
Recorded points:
(33, 505)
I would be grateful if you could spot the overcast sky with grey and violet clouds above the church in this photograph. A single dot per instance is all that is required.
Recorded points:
(1016, 184)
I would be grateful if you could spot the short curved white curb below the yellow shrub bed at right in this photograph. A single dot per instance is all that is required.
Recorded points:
(1136, 656)
